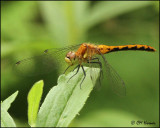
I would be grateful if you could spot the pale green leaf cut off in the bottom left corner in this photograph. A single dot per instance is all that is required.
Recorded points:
(6, 119)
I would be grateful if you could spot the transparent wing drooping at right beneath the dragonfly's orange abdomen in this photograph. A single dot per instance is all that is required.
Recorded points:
(117, 84)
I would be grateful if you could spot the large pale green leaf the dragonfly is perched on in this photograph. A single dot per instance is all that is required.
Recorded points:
(64, 101)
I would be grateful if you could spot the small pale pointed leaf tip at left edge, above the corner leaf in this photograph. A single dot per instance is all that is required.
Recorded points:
(7, 102)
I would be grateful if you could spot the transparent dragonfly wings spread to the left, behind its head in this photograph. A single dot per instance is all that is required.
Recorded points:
(45, 63)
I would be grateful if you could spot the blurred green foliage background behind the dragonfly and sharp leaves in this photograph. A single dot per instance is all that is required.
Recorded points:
(28, 28)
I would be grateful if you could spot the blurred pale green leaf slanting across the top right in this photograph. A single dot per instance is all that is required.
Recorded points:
(107, 10)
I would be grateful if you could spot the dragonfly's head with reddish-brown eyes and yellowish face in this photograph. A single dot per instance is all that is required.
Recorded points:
(70, 58)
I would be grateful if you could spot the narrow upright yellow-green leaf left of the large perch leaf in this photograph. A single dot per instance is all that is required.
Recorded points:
(34, 98)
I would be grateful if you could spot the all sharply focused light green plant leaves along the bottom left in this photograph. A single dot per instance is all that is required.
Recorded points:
(61, 105)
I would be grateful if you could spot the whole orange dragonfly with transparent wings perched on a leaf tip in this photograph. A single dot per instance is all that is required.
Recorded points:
(78, 56)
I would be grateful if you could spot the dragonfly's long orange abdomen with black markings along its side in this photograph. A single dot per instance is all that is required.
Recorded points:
(107, 49)
